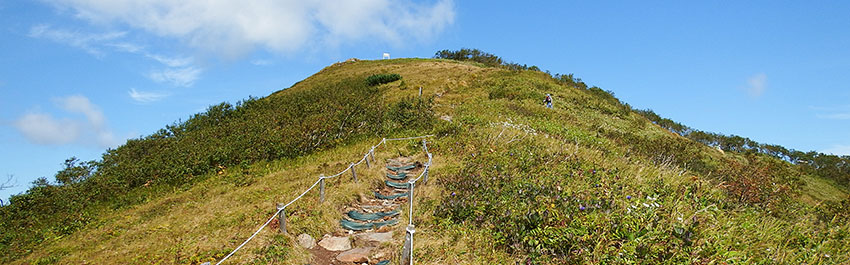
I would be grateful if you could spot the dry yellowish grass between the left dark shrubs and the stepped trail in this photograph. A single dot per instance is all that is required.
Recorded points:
(211, 218)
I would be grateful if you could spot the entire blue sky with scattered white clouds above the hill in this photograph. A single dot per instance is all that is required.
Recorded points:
(81, 76)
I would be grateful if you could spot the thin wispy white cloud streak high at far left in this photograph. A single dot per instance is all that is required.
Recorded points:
(89, 42)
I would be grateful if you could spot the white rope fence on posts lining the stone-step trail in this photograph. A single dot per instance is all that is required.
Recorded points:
(281, 210)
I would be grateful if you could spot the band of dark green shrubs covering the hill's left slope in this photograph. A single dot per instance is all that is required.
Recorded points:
(226, 136)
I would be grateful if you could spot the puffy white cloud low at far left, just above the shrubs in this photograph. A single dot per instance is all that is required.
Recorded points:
(43, 128)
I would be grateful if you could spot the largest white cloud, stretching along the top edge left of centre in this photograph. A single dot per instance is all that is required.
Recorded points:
(232, 28)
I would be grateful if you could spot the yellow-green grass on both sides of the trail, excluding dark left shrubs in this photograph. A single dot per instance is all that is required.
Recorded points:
(587, 182)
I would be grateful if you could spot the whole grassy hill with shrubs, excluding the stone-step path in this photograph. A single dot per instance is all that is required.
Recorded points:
(589, 181)
